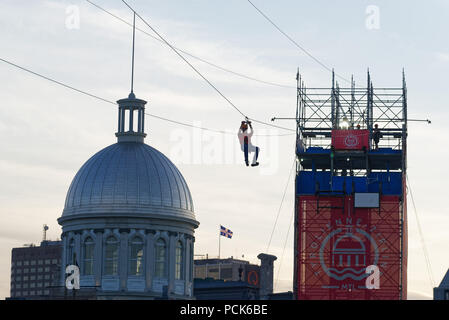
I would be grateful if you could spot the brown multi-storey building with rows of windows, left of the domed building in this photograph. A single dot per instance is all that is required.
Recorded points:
(35, 269)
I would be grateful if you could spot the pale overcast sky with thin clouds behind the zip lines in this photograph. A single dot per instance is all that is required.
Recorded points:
(47, 132)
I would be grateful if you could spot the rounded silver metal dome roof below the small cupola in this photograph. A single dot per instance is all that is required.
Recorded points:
(129, 178)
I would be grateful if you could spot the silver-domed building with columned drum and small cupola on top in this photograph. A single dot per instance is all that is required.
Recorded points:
(128, 220)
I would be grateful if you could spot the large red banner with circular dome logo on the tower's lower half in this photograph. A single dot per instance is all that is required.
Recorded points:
(338, 245)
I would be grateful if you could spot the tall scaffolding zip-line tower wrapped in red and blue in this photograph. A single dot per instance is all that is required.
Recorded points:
(350, 199)
